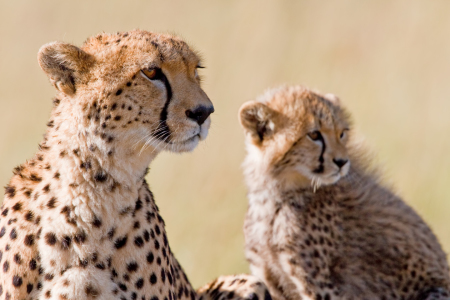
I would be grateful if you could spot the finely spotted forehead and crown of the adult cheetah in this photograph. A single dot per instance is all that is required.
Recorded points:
(132, 44)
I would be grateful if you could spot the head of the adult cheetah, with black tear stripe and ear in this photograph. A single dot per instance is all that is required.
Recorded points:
(140, 86)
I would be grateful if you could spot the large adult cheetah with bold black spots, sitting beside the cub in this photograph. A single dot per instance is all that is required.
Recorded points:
(78, 220)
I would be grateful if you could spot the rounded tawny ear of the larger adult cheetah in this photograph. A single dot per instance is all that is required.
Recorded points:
(64, 64)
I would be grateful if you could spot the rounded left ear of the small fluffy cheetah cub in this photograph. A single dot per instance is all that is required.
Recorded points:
(257, 119)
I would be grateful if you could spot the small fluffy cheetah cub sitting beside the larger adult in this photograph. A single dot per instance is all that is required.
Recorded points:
(319, 224)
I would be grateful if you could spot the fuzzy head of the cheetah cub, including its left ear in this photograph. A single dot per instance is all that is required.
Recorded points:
(297, 134)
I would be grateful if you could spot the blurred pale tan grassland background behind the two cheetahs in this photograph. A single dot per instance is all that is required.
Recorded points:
(388, 61)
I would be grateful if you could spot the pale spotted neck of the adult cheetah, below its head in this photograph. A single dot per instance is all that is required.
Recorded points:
(80, 158)
